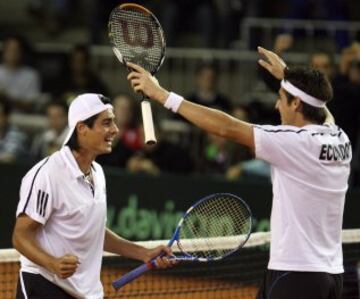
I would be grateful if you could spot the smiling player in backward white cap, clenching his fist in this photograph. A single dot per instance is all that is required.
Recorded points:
(60, 227)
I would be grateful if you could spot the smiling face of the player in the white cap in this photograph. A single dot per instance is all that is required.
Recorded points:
(98, 139)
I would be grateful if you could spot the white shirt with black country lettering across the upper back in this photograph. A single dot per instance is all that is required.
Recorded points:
(310, 167)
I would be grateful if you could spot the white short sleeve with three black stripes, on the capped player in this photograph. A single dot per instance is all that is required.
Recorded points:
(36, 199)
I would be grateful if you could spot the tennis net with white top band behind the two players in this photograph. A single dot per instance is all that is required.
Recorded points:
(237, 276)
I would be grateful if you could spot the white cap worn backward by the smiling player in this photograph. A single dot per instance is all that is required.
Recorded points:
(83, 107)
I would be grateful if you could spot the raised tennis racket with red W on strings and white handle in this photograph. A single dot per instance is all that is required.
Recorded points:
(137, 36)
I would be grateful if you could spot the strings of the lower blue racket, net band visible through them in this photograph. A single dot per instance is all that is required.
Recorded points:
(207, 222)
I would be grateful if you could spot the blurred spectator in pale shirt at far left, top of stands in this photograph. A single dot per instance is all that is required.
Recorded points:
(19, 82)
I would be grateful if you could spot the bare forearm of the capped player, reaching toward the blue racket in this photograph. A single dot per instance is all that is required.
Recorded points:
(115, 244)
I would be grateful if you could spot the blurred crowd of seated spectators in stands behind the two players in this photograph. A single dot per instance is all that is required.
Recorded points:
(21, 86)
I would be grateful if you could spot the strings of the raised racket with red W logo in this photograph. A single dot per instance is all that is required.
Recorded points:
(138, 36)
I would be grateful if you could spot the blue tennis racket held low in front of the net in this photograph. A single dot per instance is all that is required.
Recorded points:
(213, 228)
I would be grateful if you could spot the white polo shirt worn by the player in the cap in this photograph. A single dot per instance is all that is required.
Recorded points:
(55, 194)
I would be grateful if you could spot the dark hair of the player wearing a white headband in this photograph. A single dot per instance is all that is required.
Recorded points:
(314, 83)
